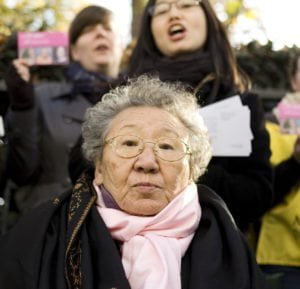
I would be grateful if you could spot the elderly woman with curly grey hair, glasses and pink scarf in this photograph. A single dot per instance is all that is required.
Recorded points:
(137, 220)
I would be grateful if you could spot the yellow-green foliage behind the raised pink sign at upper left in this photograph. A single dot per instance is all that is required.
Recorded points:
(28, 15)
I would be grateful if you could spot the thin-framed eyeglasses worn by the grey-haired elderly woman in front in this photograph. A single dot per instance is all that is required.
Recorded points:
(168, 149)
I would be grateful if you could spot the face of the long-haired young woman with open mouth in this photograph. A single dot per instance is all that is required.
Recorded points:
(179, 31)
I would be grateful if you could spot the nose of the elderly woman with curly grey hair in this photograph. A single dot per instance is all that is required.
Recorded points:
(146, 162)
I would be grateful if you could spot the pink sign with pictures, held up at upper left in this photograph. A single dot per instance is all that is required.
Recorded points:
(44, 48)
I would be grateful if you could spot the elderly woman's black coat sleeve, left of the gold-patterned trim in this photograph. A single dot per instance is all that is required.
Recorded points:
(34, 248)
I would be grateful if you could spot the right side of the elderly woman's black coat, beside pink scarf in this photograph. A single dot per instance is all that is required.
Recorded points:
(219, 257)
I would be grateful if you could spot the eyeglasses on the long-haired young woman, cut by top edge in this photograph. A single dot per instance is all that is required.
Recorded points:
(164, 7)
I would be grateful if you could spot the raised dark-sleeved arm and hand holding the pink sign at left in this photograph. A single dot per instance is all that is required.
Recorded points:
(22, 125)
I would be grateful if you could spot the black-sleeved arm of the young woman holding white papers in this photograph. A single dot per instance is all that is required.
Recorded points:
(245, 183)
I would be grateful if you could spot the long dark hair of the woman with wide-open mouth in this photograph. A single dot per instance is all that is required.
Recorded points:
(225, 68)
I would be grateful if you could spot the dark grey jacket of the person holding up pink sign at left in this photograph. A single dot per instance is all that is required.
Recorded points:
(39, 141)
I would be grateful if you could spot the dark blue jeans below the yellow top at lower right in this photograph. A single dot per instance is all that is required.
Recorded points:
(287, 277)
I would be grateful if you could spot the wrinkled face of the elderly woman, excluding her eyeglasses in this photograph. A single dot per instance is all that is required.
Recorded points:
(144, 184)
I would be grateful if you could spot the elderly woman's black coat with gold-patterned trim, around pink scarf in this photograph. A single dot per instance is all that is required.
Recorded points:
(65, 244)
